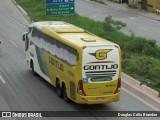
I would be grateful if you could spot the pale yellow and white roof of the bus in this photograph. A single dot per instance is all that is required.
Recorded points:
(70, 33)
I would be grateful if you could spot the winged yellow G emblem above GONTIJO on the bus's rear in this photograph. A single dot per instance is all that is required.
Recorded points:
(101, 54)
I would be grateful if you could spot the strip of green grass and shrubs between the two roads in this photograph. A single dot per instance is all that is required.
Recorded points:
(141, 57)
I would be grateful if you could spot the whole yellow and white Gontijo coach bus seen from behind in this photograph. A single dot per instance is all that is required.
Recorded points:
(83, 67)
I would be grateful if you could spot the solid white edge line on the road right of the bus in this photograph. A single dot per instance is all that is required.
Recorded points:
(132, 94)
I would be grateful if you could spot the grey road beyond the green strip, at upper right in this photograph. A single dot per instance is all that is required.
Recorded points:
(136, 23)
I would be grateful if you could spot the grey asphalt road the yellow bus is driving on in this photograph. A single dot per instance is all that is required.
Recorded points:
(22, 91)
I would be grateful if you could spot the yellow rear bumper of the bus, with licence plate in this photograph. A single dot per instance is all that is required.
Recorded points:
(98, 99)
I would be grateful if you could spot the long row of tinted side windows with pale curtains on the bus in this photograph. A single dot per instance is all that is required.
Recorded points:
(56, 48)
